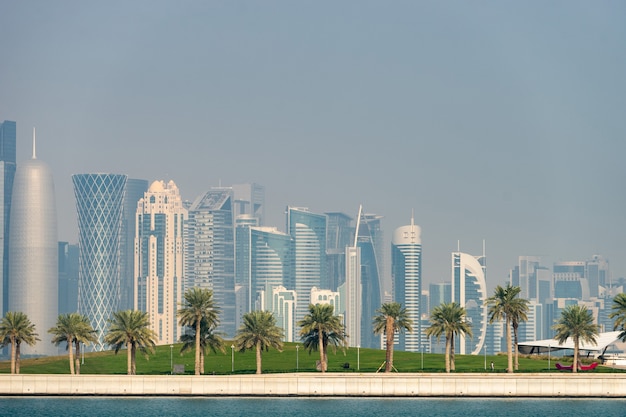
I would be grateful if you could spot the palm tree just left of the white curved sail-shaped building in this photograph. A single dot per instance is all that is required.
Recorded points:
(449, 320)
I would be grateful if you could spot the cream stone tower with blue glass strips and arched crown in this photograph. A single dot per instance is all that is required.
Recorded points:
(159, 264)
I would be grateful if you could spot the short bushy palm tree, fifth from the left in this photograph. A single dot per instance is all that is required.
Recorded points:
(259, 331)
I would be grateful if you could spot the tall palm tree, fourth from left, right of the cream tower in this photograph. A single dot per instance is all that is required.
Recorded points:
(198, 306)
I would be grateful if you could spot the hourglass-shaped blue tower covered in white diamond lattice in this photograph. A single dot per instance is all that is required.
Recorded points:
(99, 202)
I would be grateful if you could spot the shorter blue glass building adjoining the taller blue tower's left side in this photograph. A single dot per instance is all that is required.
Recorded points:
(263, 257)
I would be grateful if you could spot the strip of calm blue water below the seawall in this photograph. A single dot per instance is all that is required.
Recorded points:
(305, 407)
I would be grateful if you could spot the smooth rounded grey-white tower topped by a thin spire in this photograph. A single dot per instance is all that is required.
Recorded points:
(33, 251)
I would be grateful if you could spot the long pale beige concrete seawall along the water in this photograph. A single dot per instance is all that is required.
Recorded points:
(302, 384)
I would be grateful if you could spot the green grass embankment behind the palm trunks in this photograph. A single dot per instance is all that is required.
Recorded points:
(367, 360)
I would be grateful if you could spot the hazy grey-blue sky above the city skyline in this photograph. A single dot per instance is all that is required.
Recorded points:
(500, 121)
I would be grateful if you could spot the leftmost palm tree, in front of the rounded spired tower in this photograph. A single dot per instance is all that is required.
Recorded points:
(15, 329)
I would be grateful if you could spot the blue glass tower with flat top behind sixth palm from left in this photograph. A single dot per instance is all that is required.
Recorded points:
(308, 231)
